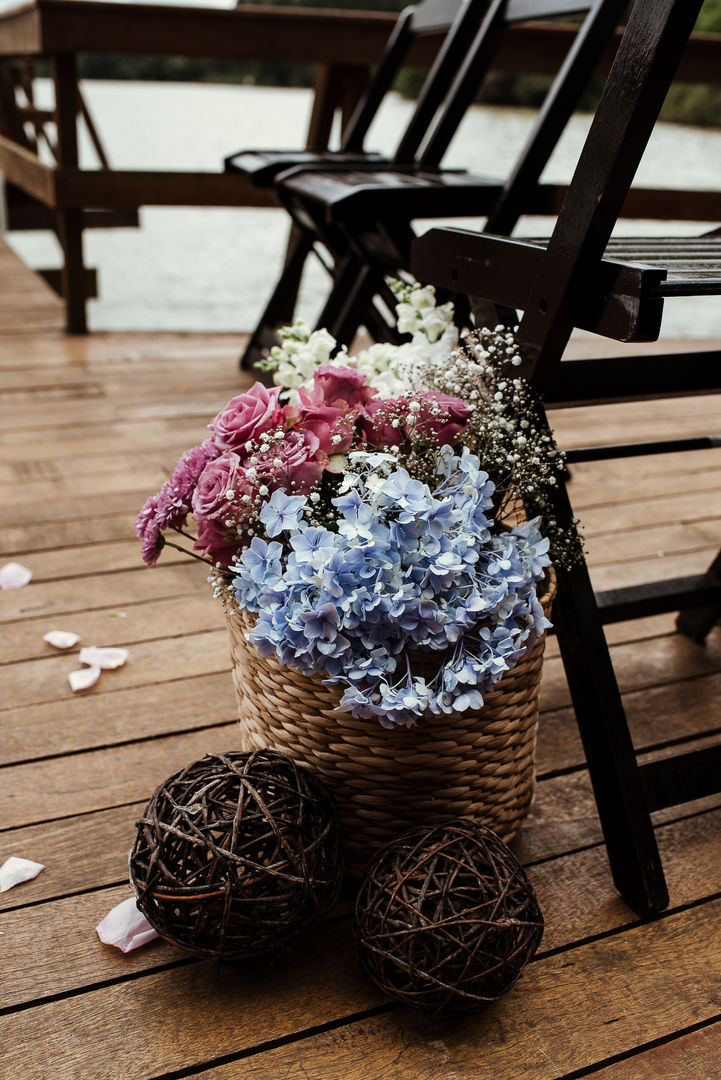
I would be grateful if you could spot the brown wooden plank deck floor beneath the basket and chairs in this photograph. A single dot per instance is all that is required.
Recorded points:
(88, 428)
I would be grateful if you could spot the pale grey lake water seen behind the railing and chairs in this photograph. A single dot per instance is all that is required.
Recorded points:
(212, 269)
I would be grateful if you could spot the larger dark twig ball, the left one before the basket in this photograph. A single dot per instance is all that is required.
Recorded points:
(237, 855)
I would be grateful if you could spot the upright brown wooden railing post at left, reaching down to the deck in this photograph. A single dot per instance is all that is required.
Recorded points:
(70, 222)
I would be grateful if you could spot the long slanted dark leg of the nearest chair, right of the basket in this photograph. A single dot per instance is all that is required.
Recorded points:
(615, 772)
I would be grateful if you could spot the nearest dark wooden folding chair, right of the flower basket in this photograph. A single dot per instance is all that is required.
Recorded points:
(580, 278)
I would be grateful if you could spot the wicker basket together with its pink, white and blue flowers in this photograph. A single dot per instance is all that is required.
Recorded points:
(386, 595)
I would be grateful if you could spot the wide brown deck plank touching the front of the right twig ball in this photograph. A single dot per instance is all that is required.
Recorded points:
(622, 997)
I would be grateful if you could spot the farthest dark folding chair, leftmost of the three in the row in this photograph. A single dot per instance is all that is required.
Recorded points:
(458, 20)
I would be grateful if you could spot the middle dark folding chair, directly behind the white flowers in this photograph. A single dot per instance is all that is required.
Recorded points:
(363, 215)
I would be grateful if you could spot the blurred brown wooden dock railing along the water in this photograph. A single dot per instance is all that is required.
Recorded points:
(342, 45)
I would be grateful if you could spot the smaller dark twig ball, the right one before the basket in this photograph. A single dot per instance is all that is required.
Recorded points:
(446, 919)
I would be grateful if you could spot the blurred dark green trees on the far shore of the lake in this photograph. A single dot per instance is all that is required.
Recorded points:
(686, 103)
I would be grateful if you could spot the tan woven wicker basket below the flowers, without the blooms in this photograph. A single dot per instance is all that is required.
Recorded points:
(470, 765)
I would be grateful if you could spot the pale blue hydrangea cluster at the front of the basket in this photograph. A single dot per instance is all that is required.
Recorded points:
(405, 575)
